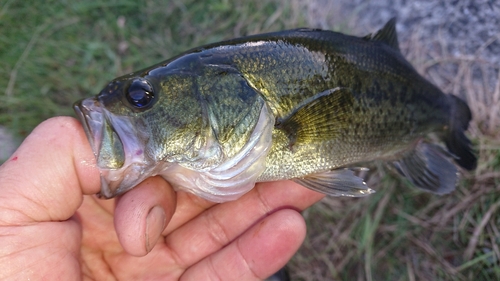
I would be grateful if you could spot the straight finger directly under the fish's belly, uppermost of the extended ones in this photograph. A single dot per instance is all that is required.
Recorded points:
(219, 225)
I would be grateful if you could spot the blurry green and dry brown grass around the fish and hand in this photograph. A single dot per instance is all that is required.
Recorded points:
(55, 52)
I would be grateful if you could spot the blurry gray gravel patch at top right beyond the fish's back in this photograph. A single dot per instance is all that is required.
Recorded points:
(470, 28)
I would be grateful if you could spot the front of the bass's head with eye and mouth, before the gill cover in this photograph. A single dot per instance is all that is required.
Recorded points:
(136, 123)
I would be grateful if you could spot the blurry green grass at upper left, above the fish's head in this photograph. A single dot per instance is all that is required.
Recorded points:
(55, 52)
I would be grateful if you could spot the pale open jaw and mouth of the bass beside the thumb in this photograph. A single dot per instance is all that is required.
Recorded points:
(119, 148)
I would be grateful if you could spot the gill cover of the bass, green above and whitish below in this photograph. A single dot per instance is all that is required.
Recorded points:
(240, 125)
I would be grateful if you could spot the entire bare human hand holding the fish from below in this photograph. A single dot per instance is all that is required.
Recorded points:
(52, 228)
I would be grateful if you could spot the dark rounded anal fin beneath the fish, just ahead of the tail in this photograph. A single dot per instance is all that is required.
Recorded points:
(429, 167)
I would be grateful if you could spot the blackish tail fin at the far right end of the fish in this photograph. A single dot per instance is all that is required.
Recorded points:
(456, 141)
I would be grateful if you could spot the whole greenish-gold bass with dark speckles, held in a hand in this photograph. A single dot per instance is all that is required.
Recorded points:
(306, 105)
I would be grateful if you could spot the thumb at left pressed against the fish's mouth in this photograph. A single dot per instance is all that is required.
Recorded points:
(45, 179)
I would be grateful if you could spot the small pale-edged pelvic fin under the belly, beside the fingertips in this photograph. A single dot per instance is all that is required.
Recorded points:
(340, 182)
